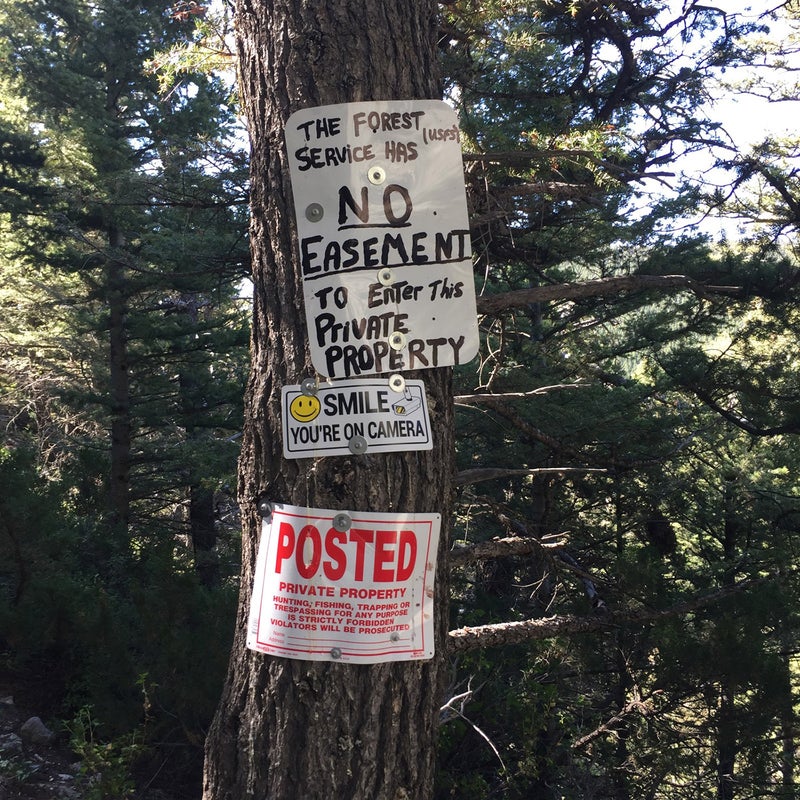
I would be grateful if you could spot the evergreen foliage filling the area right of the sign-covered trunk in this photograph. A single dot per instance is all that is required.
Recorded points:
(671, 413)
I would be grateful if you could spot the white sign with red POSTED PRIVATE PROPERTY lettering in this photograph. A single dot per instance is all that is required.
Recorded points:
(360, 592)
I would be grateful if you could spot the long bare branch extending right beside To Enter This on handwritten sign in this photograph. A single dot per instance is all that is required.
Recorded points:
(493, 304)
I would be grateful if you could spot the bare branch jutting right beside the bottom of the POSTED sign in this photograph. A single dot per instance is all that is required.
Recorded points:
(504, 633)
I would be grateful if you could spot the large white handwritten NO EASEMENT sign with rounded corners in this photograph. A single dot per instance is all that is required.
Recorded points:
(384, 246)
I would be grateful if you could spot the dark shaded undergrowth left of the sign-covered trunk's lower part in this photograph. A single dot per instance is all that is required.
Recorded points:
(95, 612)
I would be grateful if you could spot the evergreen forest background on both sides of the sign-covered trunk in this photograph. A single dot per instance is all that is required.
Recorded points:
(625, 440)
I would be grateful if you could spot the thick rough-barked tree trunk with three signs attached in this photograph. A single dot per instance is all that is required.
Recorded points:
(288, 729)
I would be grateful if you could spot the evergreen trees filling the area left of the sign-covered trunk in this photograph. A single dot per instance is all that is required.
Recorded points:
(123, 260)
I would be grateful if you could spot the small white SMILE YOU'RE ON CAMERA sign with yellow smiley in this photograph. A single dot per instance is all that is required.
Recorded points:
(357, 416)
